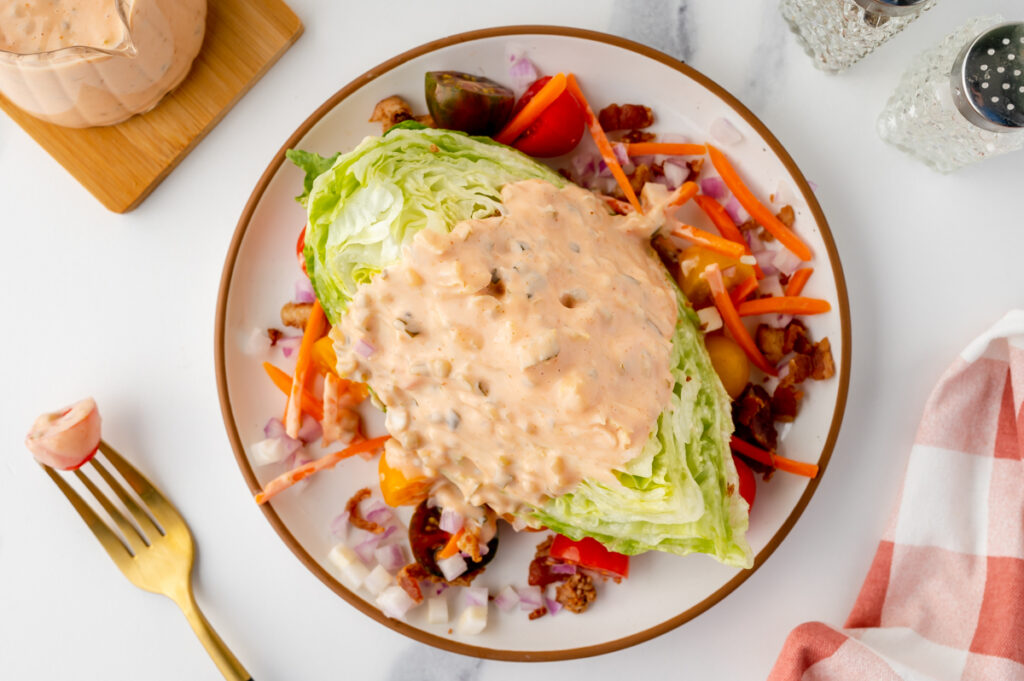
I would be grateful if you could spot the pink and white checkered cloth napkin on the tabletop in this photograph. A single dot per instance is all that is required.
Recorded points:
(945, 598)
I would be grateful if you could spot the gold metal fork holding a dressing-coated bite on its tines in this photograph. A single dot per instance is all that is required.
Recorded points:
(156, 557)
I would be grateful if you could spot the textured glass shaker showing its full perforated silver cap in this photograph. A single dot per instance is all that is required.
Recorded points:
(963, 101)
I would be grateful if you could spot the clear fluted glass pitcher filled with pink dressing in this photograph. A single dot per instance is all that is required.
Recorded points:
(88, 63)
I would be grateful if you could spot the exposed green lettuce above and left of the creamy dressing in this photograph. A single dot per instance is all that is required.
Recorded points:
(373, 200)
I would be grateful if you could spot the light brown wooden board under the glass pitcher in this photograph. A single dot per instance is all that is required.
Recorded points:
(122, 164)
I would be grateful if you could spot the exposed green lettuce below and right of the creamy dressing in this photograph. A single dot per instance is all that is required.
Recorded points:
(675, 496)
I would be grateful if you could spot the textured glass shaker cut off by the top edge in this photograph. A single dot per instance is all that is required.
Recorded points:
(837, 34)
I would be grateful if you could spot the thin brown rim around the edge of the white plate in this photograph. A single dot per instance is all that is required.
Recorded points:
(327, 578)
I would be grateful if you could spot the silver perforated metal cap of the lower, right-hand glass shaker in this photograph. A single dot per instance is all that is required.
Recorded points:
(989, 79)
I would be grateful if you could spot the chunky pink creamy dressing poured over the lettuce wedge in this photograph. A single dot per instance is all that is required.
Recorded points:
(518, 355)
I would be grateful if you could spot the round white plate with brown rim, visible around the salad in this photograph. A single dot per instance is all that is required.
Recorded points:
(663, 591)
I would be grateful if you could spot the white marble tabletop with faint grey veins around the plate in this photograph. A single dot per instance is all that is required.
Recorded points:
(122, 308)
